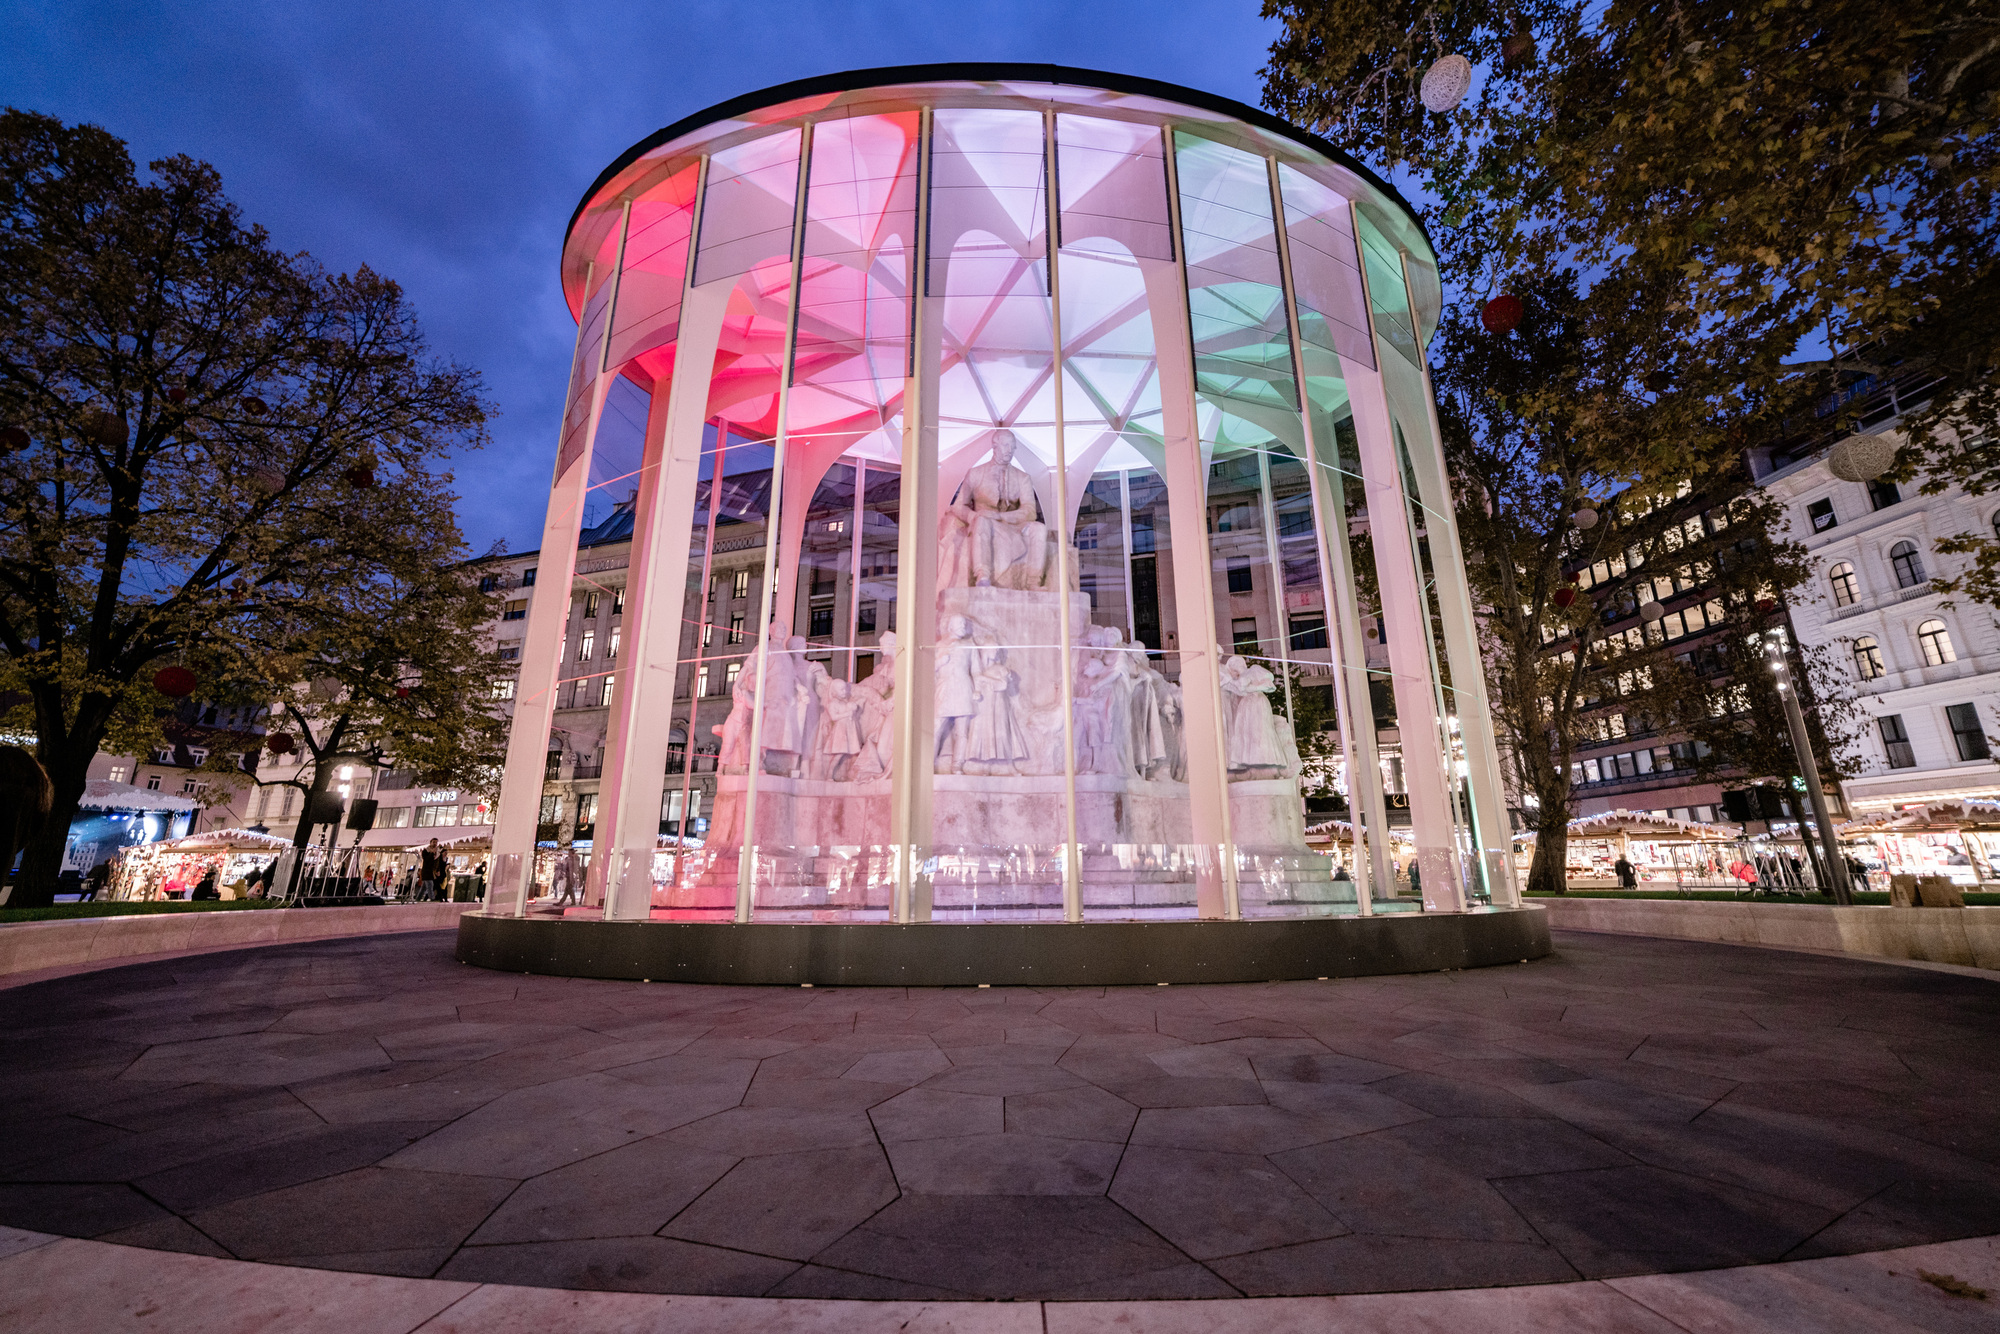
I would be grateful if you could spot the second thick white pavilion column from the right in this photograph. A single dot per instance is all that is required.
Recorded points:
(1405, 615)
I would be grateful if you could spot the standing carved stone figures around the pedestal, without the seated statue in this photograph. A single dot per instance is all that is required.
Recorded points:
(1127, 717)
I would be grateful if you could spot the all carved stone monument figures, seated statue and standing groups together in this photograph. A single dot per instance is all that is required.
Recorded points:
(1127, 717)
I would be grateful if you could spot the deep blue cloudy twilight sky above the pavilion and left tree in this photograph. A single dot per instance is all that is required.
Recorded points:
(447, 143)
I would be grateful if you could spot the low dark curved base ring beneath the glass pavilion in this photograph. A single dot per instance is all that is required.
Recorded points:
(1005, 953)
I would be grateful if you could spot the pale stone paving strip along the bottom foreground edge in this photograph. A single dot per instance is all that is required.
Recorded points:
(63, 1285)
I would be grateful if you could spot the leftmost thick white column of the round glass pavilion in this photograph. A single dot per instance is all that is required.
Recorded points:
(549, 615)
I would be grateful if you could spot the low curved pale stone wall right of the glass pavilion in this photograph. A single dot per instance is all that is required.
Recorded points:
(1961, 937)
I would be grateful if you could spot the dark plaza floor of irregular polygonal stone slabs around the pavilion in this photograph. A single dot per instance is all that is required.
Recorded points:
(1625, 1107)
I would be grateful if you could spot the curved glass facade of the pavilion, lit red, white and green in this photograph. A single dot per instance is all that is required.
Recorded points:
(1011, 465)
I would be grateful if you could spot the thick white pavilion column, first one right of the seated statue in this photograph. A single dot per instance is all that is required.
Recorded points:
(1195, 587)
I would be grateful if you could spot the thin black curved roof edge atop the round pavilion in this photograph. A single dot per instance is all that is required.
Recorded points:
(991, 71)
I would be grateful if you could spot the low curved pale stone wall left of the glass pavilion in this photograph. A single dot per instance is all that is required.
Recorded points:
(81, 945)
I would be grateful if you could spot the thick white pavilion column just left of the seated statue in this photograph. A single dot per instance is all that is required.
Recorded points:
(913, 743)
